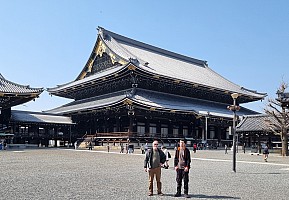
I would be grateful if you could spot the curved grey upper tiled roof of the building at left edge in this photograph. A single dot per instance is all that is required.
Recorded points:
(8, 87)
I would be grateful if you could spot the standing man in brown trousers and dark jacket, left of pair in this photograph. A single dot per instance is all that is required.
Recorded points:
(154, 159)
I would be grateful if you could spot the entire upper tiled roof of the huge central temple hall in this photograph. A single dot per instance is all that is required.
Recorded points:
(161, 62)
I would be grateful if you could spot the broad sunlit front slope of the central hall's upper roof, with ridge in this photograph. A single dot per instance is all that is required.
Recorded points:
(166, 63)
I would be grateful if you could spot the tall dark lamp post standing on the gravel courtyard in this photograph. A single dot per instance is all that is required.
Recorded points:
(234, 108)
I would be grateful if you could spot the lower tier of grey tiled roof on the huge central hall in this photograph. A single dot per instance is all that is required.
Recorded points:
(151, 99)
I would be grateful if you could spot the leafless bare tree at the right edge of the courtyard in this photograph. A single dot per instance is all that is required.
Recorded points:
(278, 110)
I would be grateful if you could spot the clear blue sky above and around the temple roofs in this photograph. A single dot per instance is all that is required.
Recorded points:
(47, 43)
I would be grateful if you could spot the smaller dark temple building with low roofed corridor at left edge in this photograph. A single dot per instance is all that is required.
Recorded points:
(25, 127)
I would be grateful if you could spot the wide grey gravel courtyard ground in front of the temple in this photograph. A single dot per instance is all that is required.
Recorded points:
(82, 174)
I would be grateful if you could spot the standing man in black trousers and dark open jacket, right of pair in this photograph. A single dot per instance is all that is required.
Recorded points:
(182, 166)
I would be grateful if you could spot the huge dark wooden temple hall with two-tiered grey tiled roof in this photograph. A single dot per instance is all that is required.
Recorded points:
(135, 91)
